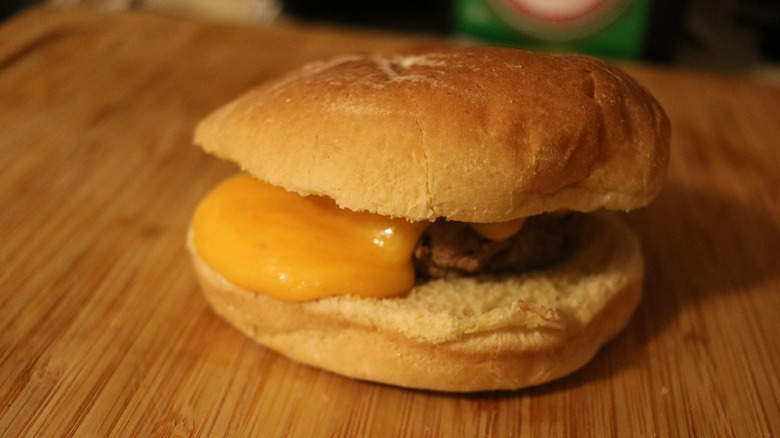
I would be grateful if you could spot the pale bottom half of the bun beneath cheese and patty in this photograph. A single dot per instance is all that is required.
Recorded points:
(464, 334)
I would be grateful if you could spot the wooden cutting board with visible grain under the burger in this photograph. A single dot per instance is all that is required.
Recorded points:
(103, 331)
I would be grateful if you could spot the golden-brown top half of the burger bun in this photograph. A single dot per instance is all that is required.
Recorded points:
(470, 134)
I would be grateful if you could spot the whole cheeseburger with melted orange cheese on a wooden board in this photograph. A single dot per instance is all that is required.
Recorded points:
(437, 220)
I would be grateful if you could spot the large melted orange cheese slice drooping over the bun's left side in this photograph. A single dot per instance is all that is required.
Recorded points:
(295, 248)
